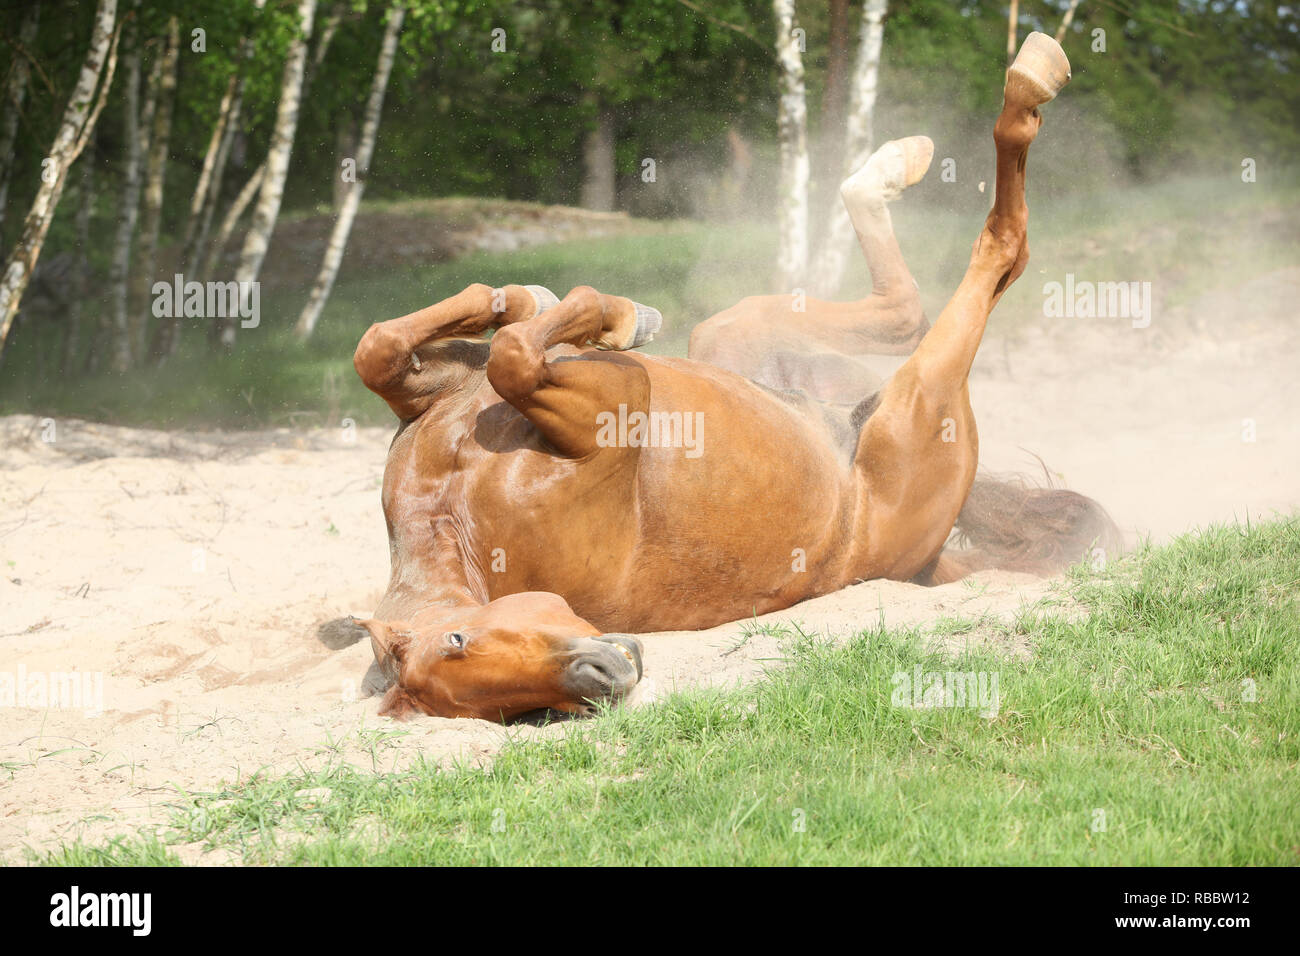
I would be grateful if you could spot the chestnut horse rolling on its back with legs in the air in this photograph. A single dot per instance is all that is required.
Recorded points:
(549, 491)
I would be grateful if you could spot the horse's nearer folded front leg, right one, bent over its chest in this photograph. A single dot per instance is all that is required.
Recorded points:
(564, 393)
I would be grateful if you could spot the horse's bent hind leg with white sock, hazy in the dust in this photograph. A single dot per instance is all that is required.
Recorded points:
(791, 341)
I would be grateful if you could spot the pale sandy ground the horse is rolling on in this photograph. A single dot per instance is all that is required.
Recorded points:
(197, 576)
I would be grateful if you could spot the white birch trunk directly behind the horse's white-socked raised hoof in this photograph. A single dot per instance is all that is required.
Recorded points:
(839, 241)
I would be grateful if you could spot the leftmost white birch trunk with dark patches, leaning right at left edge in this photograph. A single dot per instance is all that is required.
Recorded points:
(75, 129)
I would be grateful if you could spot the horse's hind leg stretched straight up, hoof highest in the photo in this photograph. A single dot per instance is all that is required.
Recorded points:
(918, 451)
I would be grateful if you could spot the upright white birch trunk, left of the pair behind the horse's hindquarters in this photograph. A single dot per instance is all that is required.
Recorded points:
(792, 254)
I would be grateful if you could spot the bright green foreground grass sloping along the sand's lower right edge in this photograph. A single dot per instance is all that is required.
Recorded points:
(1159, 728)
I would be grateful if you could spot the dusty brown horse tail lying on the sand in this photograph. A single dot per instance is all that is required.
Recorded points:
(1013, 526)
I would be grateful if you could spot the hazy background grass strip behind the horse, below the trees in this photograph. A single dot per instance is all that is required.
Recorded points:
(1160, 233)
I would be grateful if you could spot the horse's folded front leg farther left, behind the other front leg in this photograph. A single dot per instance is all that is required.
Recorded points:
(398, 361)
